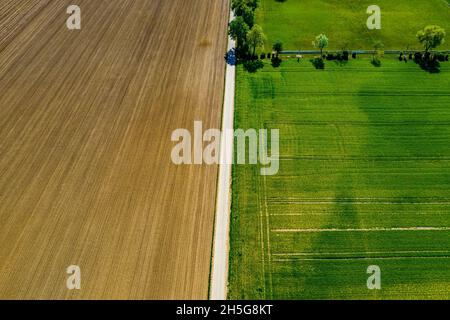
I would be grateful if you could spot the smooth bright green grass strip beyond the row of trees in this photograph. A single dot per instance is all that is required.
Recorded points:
(297, 22)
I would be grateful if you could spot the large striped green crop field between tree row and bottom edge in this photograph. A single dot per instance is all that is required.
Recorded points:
(361, 148)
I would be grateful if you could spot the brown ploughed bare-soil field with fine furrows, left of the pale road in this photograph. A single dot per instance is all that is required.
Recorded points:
(85, 124)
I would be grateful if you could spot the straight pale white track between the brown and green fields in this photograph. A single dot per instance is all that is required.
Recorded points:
(220, 256)
